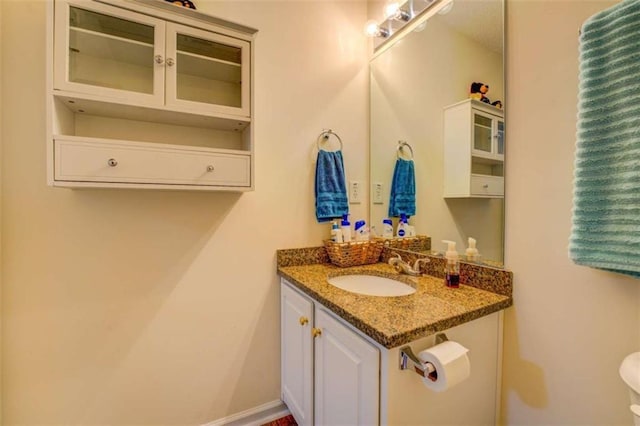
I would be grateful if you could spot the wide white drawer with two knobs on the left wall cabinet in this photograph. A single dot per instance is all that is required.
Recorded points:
(148, 163)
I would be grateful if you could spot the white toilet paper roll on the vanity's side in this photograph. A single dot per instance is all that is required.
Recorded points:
(451, 365)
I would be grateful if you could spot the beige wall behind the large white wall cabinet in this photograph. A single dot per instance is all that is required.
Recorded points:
(148, 307)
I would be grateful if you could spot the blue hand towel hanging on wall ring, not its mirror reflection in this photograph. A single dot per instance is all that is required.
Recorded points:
(330, 187)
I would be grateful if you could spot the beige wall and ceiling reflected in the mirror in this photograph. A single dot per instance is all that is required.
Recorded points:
(411, 82)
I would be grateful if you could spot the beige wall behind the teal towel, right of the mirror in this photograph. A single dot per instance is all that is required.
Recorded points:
(570, 326)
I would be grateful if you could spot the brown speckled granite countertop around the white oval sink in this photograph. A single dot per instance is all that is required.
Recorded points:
(395, 321)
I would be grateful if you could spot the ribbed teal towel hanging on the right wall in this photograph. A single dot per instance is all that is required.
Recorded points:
(606, 204)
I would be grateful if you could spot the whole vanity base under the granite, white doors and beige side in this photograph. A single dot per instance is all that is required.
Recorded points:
(333, 374)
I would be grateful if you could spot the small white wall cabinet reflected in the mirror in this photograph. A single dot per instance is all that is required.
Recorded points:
(473, 150)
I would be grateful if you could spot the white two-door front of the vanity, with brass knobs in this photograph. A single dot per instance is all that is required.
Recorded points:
(330, 374)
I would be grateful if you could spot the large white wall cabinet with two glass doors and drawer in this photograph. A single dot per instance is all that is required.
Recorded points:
(148, 94)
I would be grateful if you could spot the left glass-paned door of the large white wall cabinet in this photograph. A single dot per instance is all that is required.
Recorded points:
(109, 51)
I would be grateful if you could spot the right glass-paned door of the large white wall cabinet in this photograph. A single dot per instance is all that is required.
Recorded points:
(207, 71)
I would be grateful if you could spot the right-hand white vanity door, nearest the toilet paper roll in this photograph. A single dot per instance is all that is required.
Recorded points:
(347, 375)
